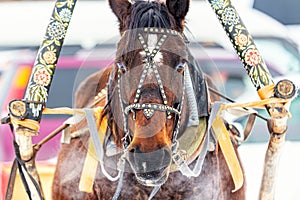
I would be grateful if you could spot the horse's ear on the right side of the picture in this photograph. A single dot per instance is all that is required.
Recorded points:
(179, 9)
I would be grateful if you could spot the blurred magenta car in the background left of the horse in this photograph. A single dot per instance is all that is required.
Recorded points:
(70, 71)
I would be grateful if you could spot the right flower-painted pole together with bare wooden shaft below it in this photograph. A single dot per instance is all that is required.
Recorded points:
(262, 80)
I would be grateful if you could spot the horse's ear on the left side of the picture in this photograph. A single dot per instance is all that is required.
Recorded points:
(120, 8)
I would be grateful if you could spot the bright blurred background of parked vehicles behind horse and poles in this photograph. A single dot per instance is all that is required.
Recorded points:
(90, 46)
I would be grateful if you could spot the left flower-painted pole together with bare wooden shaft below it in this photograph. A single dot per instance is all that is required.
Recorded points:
(40, 82)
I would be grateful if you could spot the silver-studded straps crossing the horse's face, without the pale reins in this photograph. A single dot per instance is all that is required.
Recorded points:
(150, 108)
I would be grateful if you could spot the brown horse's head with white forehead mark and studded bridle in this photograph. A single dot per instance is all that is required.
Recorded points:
(146, 88)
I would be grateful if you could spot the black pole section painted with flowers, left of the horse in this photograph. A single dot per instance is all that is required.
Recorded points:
(48, 54)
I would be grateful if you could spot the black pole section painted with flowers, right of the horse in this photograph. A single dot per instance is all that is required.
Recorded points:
(242, 42)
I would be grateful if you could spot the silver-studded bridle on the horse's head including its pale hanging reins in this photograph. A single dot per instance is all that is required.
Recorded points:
(149, 108)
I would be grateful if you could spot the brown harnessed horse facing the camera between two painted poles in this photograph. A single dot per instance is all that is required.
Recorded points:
(156, 100)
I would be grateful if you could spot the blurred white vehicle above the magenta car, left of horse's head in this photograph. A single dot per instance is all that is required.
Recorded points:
(24, 23)
